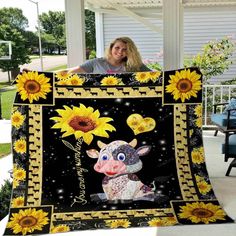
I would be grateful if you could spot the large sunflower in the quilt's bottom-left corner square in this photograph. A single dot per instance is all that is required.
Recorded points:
(27, 221)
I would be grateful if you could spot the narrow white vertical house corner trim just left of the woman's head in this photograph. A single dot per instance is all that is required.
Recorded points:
(99, 34)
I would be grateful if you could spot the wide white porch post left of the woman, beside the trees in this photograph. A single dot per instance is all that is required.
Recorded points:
(75, 33)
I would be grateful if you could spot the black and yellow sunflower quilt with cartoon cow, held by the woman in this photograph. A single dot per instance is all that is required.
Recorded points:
(97, 151)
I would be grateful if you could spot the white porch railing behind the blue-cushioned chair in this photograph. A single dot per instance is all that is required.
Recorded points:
(213, 94)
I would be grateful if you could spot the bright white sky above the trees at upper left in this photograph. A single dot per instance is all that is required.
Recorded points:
(30, 10)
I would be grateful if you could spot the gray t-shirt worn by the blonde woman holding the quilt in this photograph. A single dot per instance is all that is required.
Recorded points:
(101, 66)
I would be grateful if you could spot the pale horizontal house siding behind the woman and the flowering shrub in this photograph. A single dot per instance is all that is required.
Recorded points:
(201, 24)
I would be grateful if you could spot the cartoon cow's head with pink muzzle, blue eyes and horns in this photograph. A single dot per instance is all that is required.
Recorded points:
(118, 157)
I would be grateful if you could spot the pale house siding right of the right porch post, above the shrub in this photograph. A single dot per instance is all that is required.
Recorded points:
(204, 24)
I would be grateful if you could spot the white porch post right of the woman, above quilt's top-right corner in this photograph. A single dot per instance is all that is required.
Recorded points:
(173, 34)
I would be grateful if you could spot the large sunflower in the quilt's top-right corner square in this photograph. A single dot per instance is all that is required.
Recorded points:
(184, 85)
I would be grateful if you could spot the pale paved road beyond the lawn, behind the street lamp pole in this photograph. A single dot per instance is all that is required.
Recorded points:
(48, 63)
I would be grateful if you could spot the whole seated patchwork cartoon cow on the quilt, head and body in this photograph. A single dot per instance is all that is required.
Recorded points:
(119, 161)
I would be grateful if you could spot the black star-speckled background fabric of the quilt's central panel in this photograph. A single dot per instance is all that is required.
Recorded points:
(60, 180)
